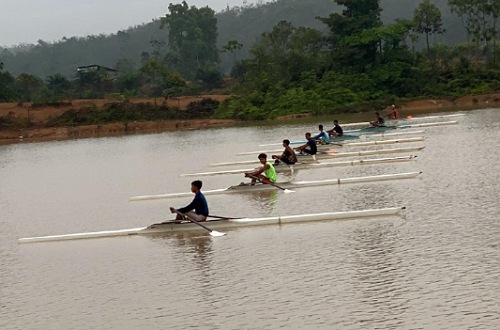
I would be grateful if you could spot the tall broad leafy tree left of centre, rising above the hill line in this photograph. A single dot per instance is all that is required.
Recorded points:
(192, 38)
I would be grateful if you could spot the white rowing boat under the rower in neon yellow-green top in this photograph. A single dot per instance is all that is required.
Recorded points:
(247, 187)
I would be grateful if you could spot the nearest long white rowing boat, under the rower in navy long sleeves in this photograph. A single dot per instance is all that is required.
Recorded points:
(218, 224)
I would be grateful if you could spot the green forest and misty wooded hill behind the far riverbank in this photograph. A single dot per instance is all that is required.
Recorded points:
(283, 57)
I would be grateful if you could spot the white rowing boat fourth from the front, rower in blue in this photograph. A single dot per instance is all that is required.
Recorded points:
(331, 154)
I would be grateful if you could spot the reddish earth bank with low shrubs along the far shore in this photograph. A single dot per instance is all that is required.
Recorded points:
(77, 119)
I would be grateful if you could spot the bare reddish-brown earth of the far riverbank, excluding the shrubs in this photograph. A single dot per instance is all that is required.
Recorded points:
(38, 116)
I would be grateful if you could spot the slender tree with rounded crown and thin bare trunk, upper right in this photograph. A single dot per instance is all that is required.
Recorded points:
(427, 20)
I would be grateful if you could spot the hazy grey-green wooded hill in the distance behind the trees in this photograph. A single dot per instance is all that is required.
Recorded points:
(244, 24)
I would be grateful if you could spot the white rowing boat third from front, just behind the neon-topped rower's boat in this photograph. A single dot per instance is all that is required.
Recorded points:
(300, 166)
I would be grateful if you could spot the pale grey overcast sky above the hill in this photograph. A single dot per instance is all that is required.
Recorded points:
(27, 21)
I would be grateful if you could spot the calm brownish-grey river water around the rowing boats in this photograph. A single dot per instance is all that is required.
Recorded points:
(435, 267)
